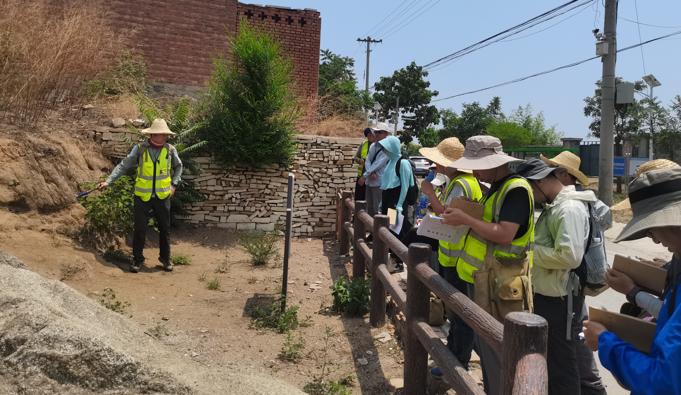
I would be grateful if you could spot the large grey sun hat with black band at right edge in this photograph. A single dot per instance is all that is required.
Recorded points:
(655, 199)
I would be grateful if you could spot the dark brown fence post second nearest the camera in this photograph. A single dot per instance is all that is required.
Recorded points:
(418, 306)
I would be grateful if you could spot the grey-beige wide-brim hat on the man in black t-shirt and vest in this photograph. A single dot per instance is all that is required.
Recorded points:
(483, 153)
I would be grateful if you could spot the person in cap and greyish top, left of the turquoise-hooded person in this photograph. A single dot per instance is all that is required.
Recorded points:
(377, 160)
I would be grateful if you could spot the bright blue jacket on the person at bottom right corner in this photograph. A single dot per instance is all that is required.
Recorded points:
(657, 373)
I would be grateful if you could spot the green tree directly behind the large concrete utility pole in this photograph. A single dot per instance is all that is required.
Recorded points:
(628, 117)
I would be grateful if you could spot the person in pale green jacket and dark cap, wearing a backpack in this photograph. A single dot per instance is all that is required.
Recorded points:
(561, 238)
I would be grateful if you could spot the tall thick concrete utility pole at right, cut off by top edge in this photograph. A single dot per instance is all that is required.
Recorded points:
(607, 147)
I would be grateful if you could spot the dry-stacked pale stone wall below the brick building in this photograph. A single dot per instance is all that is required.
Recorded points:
(255, 199)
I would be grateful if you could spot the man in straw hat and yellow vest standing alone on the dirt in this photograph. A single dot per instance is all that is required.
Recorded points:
(159, 169)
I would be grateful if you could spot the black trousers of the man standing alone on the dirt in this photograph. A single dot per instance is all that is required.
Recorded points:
(160, 211)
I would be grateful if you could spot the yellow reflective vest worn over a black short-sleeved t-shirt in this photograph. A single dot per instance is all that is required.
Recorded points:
(476, 248)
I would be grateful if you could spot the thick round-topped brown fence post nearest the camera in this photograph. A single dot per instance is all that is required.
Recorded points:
(524, 334)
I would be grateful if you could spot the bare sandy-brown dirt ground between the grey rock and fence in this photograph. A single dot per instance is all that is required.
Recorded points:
(212, 327)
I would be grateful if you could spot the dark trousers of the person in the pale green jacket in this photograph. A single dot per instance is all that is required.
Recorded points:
(561, 353)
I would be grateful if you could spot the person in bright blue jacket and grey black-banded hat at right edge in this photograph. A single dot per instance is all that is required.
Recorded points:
(656, 204)
